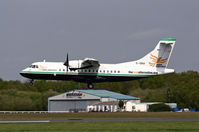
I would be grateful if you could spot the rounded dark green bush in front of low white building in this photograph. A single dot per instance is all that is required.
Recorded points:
(159, 108)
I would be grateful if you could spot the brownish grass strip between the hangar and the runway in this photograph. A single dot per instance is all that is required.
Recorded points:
(48, 116)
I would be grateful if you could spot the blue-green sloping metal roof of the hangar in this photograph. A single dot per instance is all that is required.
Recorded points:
(108, 94)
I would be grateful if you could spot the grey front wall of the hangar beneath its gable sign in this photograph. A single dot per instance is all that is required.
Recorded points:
(70, 105)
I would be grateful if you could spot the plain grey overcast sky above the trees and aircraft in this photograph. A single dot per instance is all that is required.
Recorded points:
(110, 31)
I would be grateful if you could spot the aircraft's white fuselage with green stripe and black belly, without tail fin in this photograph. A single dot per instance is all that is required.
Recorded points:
(105, 72)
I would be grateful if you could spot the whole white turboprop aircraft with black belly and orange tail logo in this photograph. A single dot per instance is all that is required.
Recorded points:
(91, 71)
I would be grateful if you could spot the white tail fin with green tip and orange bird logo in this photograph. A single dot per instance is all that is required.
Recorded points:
(160, 56)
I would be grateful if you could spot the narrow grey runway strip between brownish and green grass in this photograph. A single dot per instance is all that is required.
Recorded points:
(105, 120)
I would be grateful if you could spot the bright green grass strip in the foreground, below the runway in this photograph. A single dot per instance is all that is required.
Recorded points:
(103, 127)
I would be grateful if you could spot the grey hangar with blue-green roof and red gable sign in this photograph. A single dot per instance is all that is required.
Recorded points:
(80, 100)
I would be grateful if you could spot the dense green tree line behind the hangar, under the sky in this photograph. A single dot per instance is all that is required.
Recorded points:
(181, 88)
